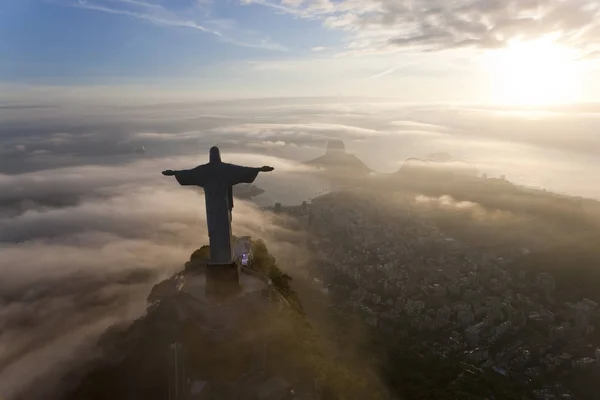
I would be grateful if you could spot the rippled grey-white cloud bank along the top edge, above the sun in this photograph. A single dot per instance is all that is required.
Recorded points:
(387, 25)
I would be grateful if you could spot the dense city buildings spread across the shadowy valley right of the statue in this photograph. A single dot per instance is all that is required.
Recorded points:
(417, 287)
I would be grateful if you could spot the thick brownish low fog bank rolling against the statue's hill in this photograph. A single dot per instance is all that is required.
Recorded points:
(70, 270)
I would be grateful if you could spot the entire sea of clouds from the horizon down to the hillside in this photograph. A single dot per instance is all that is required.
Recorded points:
(88, 224)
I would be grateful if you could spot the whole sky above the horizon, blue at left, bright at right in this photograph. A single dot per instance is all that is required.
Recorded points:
(412, 50)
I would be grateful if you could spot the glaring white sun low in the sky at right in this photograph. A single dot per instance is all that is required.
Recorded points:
(534, 73)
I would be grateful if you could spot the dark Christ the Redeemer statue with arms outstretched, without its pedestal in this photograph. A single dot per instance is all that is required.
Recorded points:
(217, 178)
